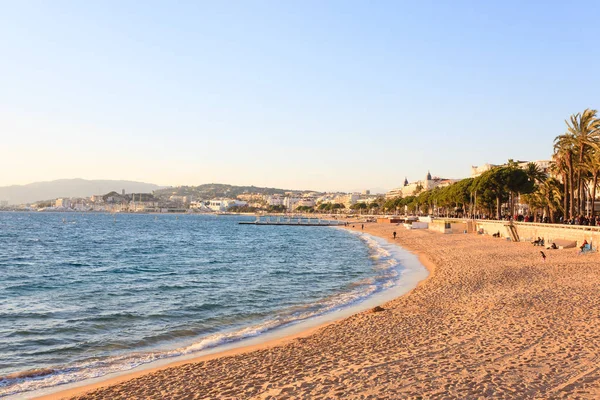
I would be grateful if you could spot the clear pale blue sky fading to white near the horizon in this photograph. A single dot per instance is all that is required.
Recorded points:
(326, 95)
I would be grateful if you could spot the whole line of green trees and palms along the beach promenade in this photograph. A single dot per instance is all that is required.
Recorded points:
(564, 193)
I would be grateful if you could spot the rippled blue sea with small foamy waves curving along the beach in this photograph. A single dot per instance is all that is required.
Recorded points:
(83, 296)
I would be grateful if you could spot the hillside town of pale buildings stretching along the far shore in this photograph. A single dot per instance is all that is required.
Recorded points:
(217, 198)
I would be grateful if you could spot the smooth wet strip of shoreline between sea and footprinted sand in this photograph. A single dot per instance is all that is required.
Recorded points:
(277, 337)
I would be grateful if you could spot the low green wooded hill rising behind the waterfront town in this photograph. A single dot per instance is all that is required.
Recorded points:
(215, 190)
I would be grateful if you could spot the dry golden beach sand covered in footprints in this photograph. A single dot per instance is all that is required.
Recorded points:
(492, 320)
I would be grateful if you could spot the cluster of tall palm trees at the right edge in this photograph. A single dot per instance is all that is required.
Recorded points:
(577, 161)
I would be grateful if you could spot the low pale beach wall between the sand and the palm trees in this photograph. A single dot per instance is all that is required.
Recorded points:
(528, 231)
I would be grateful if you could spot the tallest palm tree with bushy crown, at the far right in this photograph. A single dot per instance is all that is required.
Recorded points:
(585, 128)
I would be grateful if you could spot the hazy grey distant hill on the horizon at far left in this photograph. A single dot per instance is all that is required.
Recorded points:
(21, 194)
